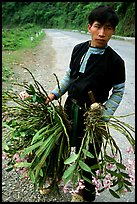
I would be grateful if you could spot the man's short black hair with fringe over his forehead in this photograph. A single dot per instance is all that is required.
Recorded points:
(103, 14)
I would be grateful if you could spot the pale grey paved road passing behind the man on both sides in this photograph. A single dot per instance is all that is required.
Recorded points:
(62, 43)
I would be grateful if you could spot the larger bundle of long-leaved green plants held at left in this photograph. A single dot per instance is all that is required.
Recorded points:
(37, 133)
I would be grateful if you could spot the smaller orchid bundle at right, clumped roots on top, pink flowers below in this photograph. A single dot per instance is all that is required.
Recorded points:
(95, 128)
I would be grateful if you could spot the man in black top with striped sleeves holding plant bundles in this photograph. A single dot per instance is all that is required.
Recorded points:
(95, 67)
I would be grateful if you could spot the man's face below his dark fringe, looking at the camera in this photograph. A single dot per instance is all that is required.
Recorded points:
(100, 33)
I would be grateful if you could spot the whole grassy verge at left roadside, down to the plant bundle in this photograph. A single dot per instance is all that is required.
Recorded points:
(15, 42)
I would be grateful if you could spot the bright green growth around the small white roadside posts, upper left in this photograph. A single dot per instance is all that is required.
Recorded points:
(21, 37)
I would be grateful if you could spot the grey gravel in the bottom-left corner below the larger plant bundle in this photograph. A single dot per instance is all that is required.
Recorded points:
(15, 189)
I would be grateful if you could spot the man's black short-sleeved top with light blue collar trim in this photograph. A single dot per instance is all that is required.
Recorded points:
(102, 72)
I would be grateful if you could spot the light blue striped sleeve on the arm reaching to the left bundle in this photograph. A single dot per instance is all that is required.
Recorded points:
(63, 84)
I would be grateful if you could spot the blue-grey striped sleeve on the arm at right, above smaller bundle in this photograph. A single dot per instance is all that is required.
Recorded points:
(114, 100)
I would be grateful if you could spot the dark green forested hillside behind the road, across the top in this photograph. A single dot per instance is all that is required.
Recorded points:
(66, 15)
